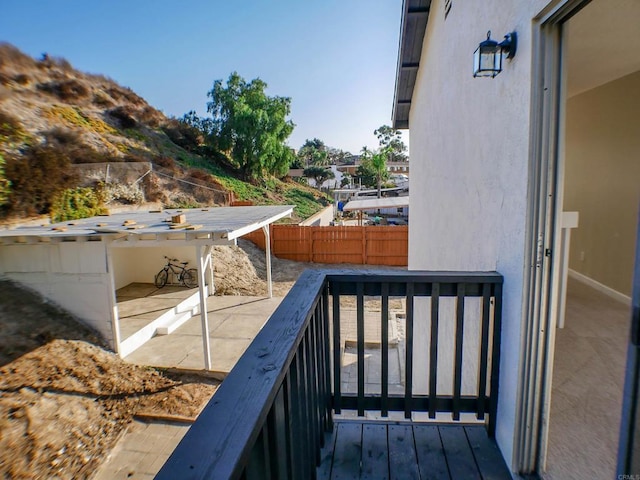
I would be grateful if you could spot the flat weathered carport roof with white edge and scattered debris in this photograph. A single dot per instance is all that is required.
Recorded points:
(215, 222)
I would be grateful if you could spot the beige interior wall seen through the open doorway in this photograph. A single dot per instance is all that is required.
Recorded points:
(602, 180)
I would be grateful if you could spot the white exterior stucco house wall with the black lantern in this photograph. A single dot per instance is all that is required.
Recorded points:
(469, 166)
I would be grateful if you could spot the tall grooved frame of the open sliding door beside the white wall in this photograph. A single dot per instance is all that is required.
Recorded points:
(546, 165)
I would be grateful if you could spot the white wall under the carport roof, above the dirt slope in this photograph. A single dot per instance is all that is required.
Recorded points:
(73, 275)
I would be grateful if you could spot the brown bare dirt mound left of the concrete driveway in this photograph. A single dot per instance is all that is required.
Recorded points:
(64, 400)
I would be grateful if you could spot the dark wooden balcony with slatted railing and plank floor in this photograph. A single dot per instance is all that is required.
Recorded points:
(412, 405)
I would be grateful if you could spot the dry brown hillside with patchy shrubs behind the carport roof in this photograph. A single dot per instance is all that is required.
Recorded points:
(59, 128)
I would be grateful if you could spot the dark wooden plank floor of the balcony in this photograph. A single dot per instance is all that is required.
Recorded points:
(374, 450)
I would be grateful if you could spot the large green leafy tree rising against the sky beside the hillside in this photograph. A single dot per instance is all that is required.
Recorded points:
(251, 126)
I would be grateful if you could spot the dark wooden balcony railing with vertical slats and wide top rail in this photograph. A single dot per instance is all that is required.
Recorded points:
(269, 416)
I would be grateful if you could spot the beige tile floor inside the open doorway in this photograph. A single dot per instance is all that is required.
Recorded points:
(589, 365)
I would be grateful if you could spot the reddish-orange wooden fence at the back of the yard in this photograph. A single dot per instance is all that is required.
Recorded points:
(371, 245)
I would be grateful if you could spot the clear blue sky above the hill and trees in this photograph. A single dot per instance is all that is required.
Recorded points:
(335, 59)
